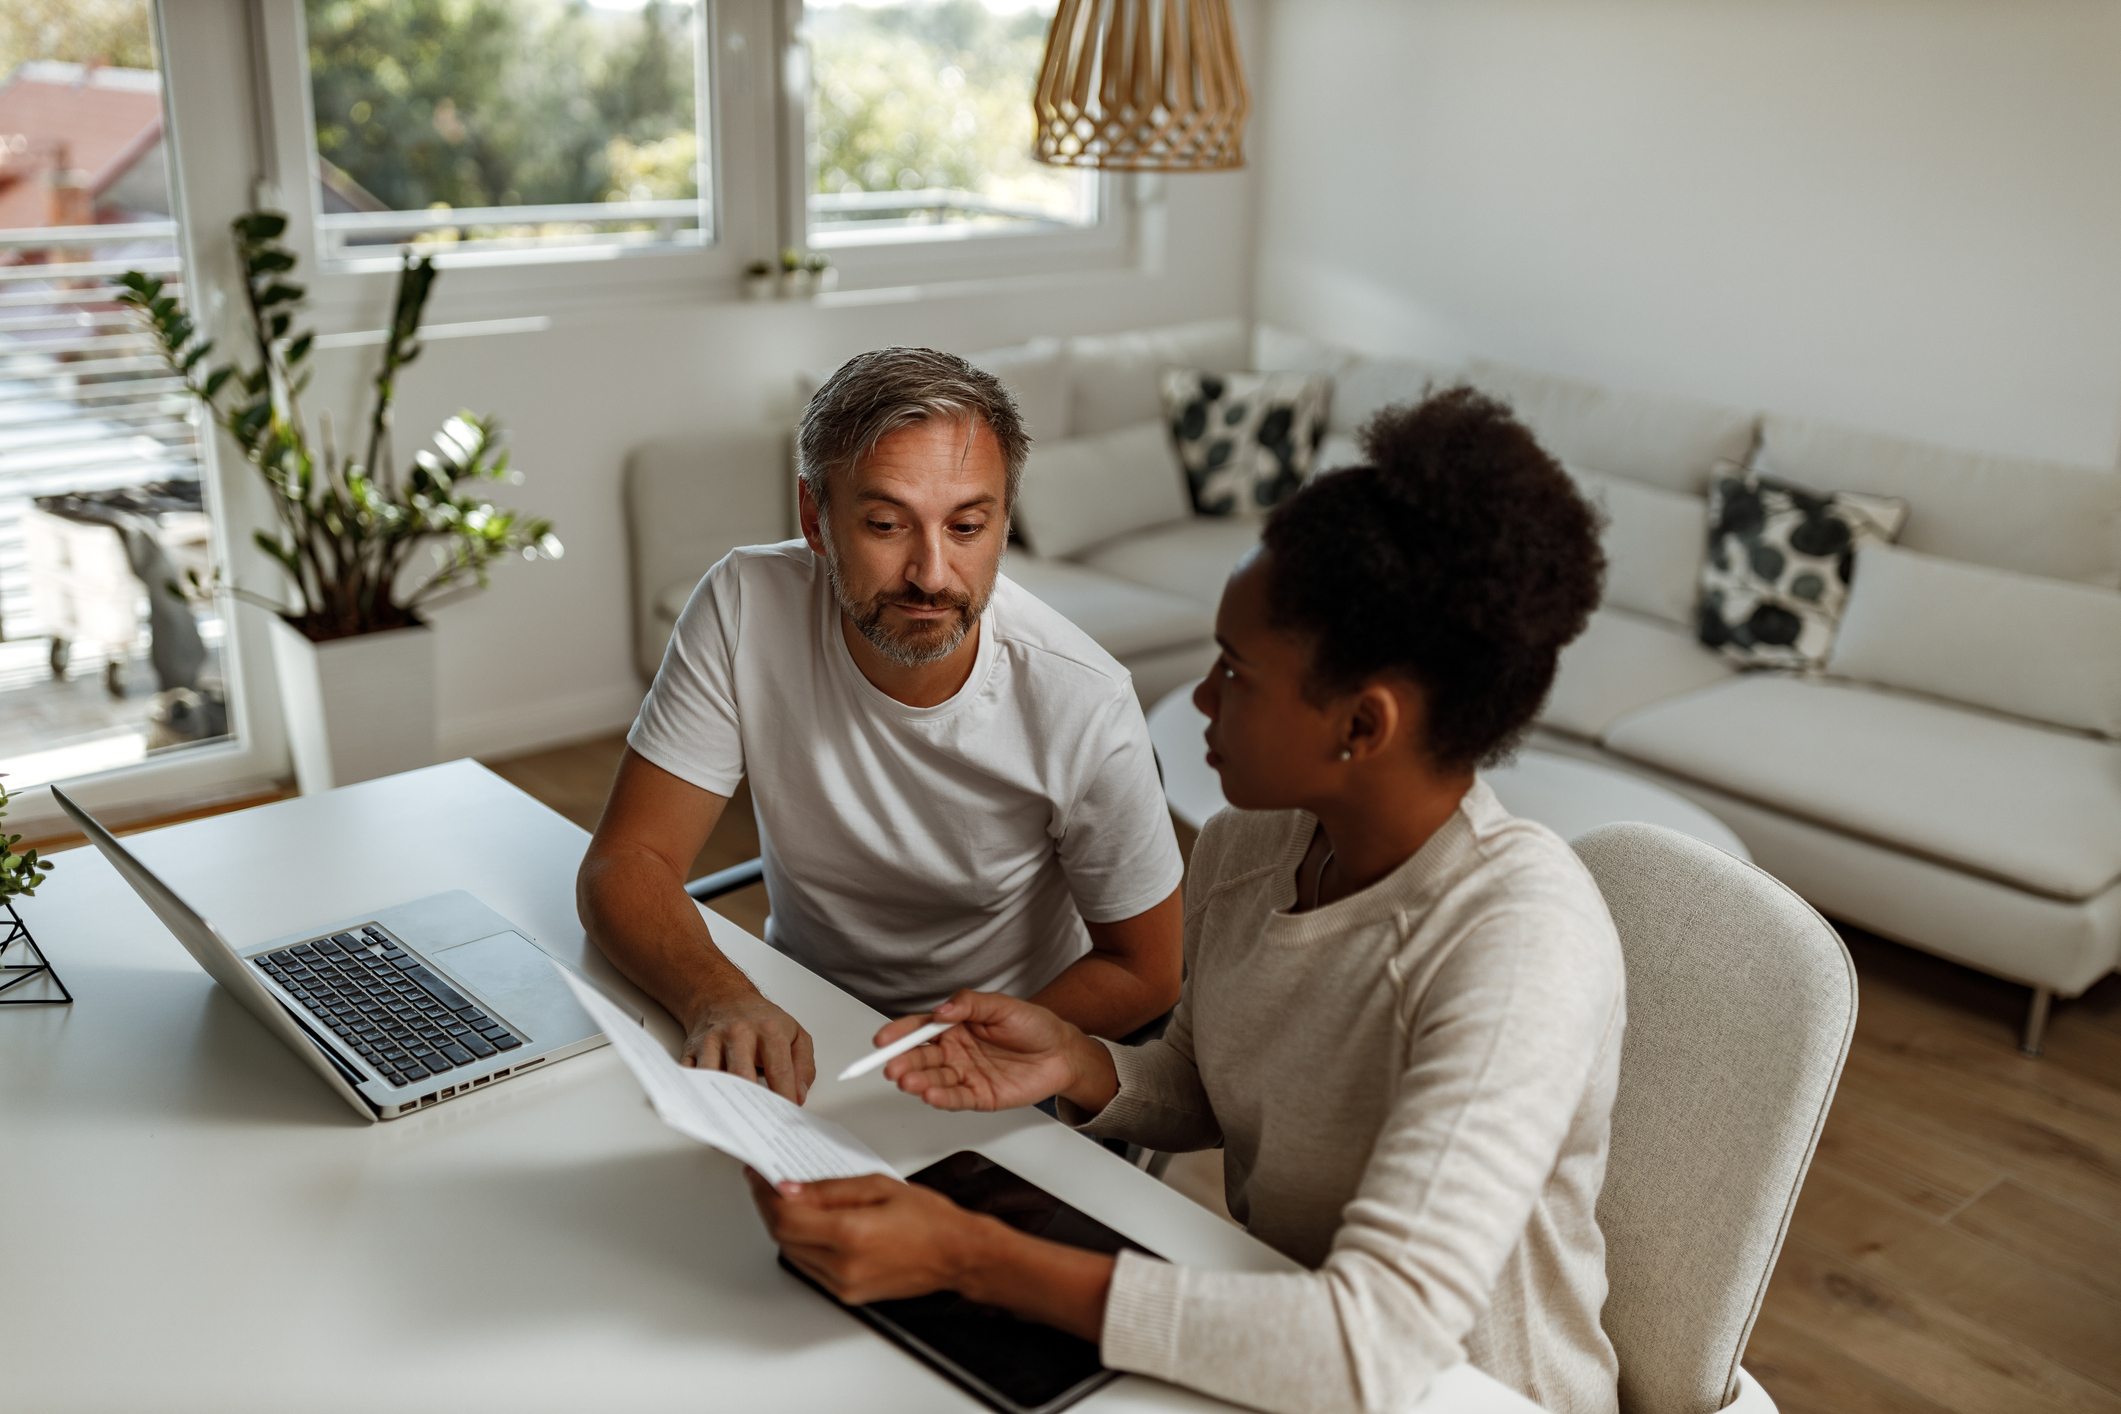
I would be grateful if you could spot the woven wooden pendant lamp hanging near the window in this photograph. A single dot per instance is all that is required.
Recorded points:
(1142, 86)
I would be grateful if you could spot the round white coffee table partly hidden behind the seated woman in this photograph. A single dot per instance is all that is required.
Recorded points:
(1562, 794)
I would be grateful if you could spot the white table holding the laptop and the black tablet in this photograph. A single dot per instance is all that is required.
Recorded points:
(192, 1222)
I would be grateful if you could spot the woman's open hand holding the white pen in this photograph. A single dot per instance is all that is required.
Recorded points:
(1002, 1055)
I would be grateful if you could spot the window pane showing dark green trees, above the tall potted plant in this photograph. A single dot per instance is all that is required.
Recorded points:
(508, 126)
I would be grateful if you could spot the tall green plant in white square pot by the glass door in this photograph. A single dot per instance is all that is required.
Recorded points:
(368, 550)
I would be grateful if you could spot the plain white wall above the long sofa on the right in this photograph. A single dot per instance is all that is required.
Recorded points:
(1893, 213)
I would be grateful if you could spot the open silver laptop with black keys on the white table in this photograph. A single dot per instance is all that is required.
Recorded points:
(398, 1010)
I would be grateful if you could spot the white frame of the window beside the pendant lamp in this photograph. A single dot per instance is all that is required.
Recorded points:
(1106, 245)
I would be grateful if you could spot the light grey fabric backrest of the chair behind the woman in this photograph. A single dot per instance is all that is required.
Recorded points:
(1740, 1008)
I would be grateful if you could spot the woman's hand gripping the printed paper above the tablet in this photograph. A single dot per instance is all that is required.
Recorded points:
(871, 1239)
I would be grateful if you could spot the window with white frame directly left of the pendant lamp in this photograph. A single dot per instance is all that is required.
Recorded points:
(919, 132)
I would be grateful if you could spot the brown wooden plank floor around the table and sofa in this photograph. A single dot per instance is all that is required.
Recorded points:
(1959, 1241)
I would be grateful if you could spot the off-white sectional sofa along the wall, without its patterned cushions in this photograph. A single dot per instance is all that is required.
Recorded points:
(1957, 785)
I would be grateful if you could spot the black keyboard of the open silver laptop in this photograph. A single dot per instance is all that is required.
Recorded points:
(398, 1014)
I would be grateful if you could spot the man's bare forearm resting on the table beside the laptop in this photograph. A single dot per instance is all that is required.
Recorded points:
(637, 913)
